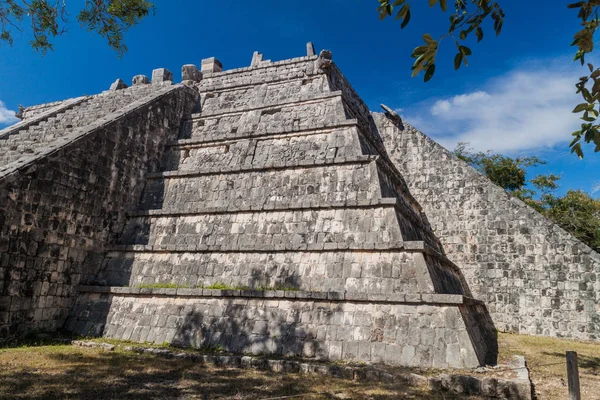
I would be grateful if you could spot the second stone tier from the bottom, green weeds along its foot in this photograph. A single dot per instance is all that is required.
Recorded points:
(372, 271)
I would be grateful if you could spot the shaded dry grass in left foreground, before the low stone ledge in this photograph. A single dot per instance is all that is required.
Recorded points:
(68, 372)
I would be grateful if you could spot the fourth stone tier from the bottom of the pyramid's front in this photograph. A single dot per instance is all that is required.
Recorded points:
(270, 188)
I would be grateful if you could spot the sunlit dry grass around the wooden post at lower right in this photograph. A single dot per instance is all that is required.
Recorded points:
(550, 381)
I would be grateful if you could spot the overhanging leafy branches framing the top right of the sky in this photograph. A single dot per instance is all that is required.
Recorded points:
(469, 18)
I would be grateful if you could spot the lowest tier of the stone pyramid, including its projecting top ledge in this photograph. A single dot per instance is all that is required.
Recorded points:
(408, 330)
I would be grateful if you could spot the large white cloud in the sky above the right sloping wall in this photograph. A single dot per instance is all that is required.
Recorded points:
(521, 110)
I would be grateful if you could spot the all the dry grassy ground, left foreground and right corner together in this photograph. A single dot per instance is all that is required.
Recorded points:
(69, 372)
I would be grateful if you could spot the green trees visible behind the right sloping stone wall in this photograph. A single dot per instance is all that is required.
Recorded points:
(576, 212)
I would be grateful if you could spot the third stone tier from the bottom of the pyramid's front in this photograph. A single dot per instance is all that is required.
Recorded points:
(376, 224)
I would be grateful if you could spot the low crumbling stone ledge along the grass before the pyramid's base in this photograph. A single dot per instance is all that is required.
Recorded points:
(484, 386)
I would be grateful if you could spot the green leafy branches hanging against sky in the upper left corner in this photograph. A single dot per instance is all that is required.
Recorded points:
(45, 20)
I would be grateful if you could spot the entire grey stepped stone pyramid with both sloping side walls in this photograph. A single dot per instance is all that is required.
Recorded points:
(266, 210)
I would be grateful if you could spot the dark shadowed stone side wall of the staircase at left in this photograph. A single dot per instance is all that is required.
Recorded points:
(60, 205)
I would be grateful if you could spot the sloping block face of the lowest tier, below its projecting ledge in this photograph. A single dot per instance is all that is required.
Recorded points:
(321, 330)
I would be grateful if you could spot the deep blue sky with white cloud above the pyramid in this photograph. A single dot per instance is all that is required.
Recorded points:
(515, 97)
